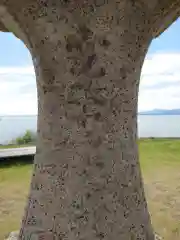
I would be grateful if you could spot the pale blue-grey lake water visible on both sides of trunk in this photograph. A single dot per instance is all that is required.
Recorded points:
(148, 126)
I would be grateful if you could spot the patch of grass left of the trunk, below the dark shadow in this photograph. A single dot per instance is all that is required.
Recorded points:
(14, 186)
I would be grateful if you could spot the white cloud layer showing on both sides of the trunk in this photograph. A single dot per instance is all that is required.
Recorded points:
(159, 86)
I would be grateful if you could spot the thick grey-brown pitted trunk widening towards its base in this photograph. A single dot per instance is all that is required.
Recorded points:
(87, 182)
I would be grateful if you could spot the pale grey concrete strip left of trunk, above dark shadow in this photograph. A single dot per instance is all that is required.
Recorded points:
(17, 152)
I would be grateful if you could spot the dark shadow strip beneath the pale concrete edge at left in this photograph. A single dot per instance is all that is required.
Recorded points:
(13, 161)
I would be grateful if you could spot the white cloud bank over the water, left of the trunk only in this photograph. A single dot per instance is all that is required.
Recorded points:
(17, 91)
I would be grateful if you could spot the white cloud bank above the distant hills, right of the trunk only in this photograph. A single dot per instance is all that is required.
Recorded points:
(160, 81)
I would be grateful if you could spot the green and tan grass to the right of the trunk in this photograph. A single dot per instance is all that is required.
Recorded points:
(160, 164)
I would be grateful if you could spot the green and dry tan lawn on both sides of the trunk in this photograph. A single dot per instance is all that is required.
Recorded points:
(160, 163)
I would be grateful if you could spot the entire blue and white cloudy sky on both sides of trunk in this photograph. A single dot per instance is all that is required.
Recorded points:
(159, 85)
